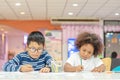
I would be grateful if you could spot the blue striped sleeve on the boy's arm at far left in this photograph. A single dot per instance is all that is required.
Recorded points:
(12, 65)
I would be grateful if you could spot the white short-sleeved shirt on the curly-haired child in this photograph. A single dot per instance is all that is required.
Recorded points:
(88, 64)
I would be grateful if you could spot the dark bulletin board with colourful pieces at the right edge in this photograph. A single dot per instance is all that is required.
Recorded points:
(112, 43)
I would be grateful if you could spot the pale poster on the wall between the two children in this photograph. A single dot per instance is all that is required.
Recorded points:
(53, 44)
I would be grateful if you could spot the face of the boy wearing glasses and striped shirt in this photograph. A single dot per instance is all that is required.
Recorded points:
(35, 49)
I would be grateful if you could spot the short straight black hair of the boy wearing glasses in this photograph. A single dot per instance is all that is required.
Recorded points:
(36, 36)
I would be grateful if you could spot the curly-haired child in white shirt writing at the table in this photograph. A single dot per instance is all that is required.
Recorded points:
(89, 46)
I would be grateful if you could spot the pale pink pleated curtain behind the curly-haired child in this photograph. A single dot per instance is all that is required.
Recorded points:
(71, 31)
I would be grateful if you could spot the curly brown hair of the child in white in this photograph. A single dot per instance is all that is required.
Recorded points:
(90, 38)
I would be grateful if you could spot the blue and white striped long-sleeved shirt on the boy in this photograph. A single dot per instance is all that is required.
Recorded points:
(24, 58)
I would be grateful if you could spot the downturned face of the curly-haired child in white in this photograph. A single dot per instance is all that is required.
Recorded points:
(86, 51)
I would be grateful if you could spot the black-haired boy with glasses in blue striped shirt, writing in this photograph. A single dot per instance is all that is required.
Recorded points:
(35, 58)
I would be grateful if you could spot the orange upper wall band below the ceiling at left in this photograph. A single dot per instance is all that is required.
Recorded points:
(30, 25)
